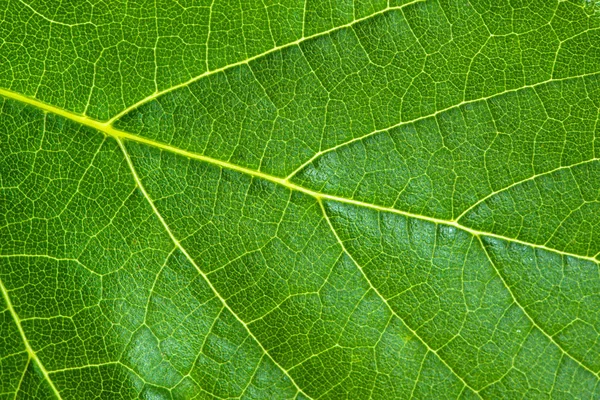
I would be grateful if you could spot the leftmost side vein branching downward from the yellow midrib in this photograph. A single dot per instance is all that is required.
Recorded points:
(184, 251)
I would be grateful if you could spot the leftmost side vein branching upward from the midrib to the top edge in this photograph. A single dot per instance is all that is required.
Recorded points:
(255, 57)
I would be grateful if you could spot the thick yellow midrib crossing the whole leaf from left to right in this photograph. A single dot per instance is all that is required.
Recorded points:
(109, 130)
